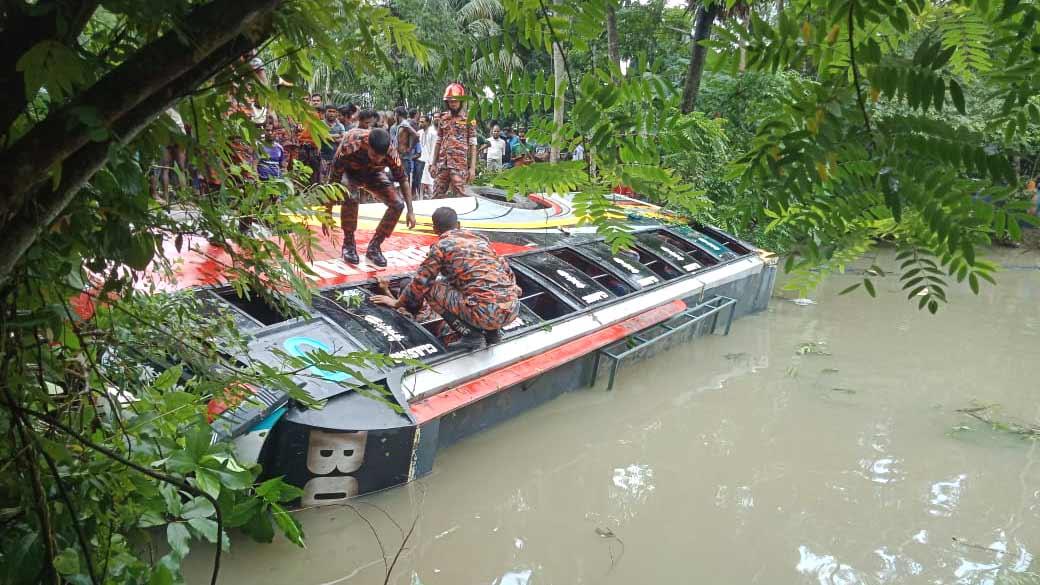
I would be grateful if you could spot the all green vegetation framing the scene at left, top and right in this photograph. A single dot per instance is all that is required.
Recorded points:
(819, 128)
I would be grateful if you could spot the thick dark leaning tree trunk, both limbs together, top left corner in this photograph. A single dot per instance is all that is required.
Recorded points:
(125, 100)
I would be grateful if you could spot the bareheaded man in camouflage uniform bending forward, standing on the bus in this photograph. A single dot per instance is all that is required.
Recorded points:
(362, 157)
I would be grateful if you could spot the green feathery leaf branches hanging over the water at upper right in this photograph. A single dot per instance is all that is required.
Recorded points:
(867, 151)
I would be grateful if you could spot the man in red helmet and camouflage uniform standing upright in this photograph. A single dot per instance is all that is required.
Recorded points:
(455, 156)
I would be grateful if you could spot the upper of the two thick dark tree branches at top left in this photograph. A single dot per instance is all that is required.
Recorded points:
(51, 143)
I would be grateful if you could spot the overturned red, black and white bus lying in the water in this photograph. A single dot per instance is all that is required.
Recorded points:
(585, 309)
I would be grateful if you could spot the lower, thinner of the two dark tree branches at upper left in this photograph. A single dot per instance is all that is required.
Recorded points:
(44, 206)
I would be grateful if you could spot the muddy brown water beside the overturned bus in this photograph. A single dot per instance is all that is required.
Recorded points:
(816, 444)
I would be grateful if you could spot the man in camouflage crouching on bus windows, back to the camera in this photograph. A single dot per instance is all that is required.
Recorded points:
(479, 294)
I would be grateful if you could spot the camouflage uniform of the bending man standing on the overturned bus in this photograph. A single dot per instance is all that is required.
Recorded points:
(352, 159)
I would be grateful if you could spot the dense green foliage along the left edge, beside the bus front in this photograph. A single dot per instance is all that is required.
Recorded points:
(108, 453)
